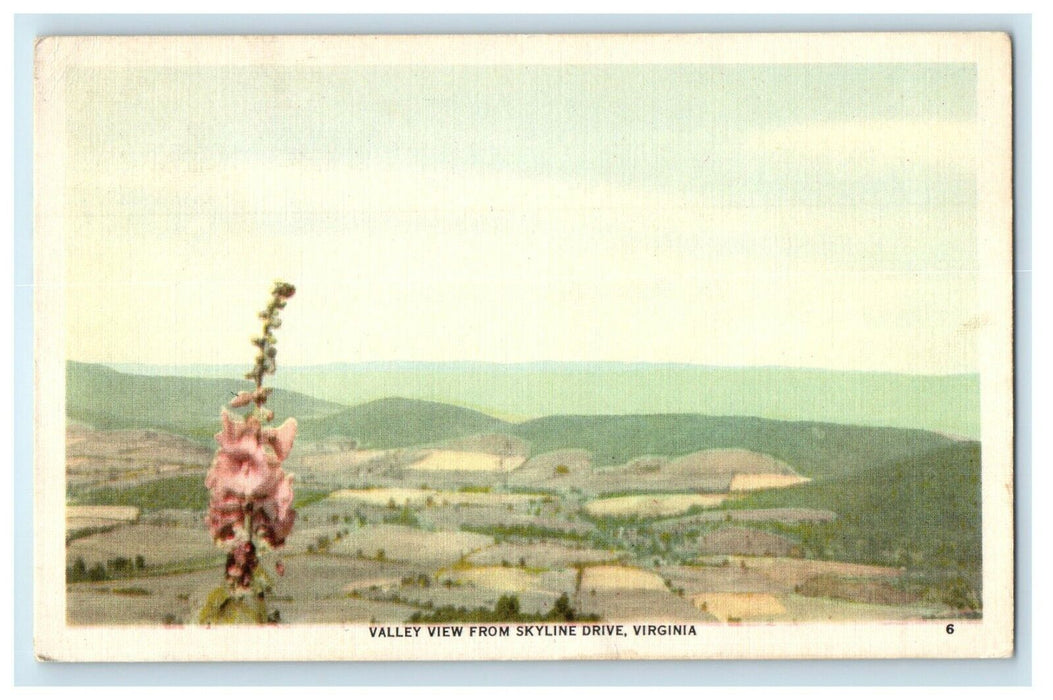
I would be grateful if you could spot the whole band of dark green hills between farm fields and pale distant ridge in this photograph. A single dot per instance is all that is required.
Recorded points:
(190, 407)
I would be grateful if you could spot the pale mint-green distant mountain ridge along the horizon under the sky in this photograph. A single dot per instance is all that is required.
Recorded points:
(945, 404)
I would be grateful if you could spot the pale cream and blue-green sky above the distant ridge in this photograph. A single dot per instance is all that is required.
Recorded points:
(793, 215)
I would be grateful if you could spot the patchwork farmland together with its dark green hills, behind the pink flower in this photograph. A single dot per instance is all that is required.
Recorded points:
(413, 509)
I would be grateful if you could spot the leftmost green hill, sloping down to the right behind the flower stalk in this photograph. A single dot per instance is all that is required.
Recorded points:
(184, 406)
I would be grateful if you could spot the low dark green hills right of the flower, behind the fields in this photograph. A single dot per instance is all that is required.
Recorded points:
(814, 450)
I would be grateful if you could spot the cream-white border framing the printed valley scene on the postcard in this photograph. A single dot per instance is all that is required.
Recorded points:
(990, 637)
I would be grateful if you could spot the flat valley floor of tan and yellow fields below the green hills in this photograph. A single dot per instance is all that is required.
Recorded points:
(387, 536)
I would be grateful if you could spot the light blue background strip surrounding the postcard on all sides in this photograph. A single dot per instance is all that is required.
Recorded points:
(29, 672)
